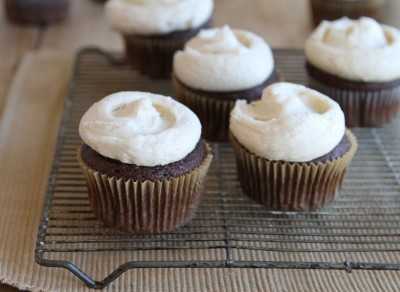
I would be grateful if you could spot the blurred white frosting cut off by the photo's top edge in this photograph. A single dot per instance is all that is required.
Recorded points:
(158, 16)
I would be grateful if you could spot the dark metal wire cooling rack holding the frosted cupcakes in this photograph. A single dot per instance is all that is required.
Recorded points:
(360, 230)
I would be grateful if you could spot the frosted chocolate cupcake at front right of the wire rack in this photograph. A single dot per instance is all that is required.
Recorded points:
(292, 147)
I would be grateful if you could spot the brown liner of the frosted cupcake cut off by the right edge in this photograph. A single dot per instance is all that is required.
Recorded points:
(363, 108)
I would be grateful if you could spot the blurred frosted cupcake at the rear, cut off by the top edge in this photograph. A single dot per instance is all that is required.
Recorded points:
(154, 30)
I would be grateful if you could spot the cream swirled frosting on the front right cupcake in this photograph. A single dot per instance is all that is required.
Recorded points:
(290, 123)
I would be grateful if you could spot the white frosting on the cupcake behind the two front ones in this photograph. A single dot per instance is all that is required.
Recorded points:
(223, 59)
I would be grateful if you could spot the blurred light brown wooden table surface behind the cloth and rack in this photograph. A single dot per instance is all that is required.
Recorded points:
(274, 20)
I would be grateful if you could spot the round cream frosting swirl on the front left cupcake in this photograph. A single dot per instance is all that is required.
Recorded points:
(140, 128)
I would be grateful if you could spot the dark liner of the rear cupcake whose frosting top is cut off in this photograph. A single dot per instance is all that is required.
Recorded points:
(153, 55)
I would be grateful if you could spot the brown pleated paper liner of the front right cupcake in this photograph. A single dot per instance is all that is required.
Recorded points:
(290, 186)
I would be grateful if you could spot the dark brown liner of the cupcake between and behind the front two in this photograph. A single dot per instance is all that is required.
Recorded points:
(213, 112)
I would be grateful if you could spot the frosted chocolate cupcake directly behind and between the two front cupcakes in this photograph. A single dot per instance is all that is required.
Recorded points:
(216, 68)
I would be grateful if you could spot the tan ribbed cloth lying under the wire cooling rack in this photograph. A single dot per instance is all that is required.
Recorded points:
(27, 136)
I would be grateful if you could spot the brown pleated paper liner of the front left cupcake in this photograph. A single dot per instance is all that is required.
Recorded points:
(148, 206)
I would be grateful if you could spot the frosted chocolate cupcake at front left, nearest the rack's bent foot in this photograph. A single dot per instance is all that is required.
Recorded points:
(144, 161)
